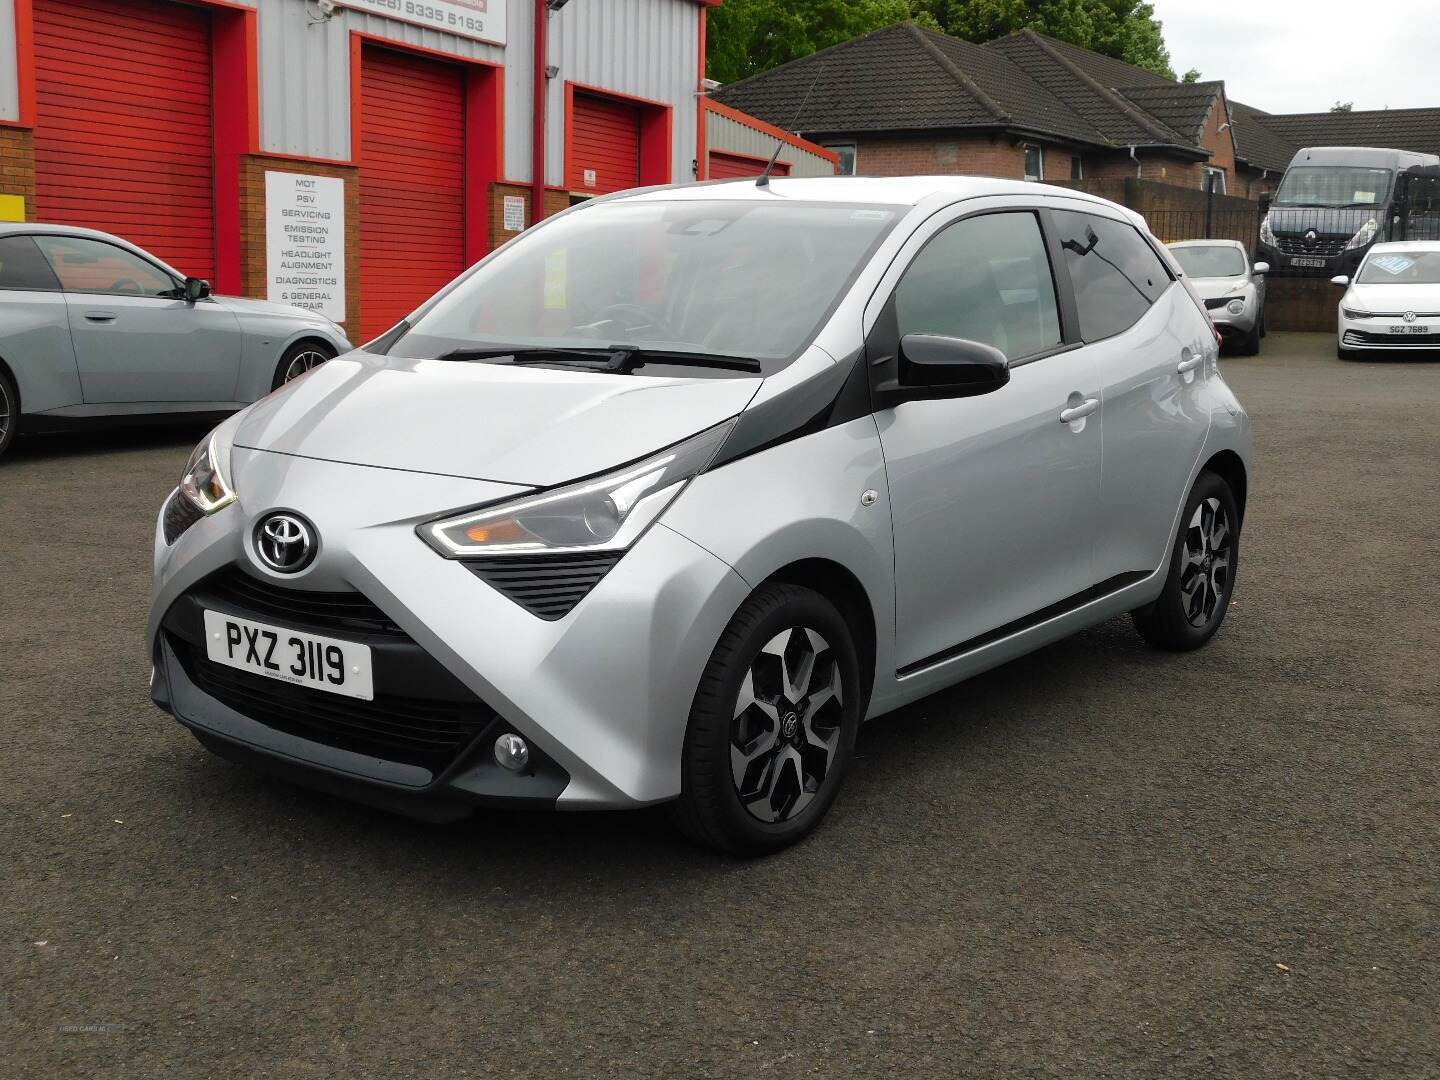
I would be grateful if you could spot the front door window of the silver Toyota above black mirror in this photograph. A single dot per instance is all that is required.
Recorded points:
(986, 280)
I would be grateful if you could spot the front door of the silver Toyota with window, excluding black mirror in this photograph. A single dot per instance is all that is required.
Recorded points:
(994, 499)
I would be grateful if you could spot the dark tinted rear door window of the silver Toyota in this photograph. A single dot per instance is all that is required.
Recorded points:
(1117, 276)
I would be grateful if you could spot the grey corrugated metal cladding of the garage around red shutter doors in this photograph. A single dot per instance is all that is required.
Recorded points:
(644, 48)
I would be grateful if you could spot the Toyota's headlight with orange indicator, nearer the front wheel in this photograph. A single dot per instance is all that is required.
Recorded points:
(607, 512)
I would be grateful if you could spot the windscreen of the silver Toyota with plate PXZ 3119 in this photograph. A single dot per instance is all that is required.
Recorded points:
(721, 279)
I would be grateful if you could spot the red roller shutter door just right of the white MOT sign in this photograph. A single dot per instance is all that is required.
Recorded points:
(413, 184)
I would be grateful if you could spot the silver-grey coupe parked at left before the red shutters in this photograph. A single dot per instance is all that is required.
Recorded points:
(93, 328)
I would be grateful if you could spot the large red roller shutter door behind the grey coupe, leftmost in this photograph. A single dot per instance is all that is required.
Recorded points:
(123, 130)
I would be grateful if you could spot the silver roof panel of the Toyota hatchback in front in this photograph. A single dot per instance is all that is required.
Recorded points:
(895, 191)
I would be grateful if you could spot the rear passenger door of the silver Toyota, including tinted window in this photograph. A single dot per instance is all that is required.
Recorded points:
(1154, 351)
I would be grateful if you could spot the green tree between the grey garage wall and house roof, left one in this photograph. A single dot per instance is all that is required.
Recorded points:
(750, 37)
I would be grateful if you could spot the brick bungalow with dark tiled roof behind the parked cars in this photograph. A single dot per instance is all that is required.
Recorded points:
(911, 100)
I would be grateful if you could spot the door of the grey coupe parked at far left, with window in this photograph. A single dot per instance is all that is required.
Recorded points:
(136, 341)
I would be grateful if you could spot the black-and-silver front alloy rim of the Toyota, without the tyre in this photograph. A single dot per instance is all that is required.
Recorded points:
(787, 725)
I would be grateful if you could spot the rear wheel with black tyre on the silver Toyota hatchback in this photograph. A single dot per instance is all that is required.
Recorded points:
(1203, 571)
